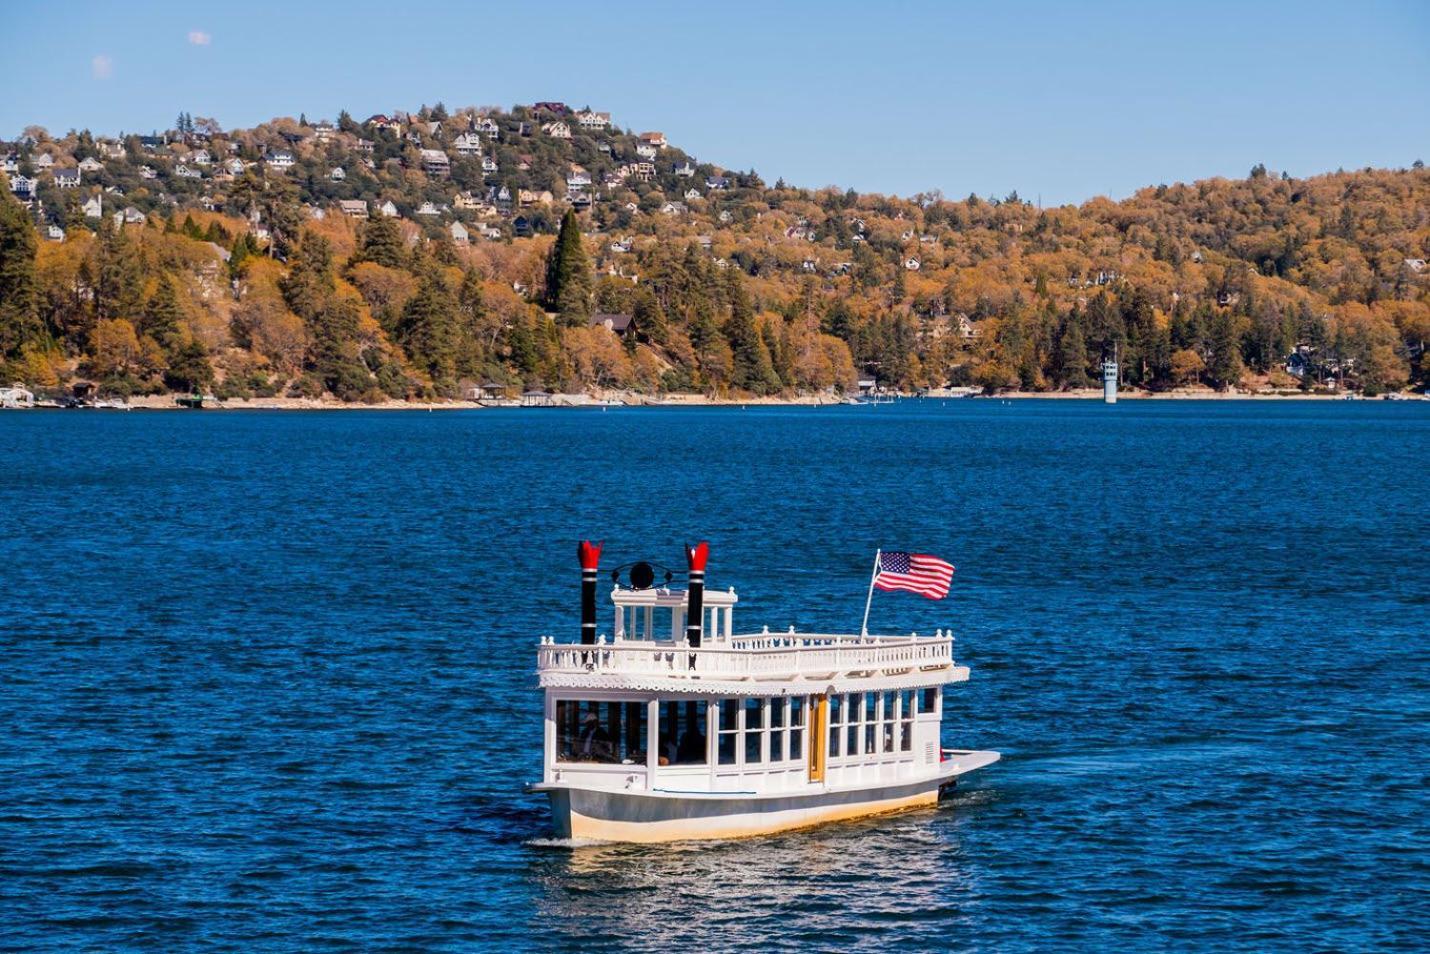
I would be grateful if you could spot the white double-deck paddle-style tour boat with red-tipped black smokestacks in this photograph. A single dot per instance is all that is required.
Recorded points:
(681, 729)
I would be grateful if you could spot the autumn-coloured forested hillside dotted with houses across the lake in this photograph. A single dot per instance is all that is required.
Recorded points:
(417, 255)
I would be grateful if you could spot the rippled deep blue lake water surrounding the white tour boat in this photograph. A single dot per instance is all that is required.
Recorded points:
(268, 677)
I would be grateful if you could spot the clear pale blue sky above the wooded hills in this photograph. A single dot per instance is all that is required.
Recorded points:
(1056, 99)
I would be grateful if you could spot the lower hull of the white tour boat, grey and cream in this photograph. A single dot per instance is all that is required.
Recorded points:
(660, 816)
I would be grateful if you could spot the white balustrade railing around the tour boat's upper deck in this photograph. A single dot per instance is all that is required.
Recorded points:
(750, 657)
